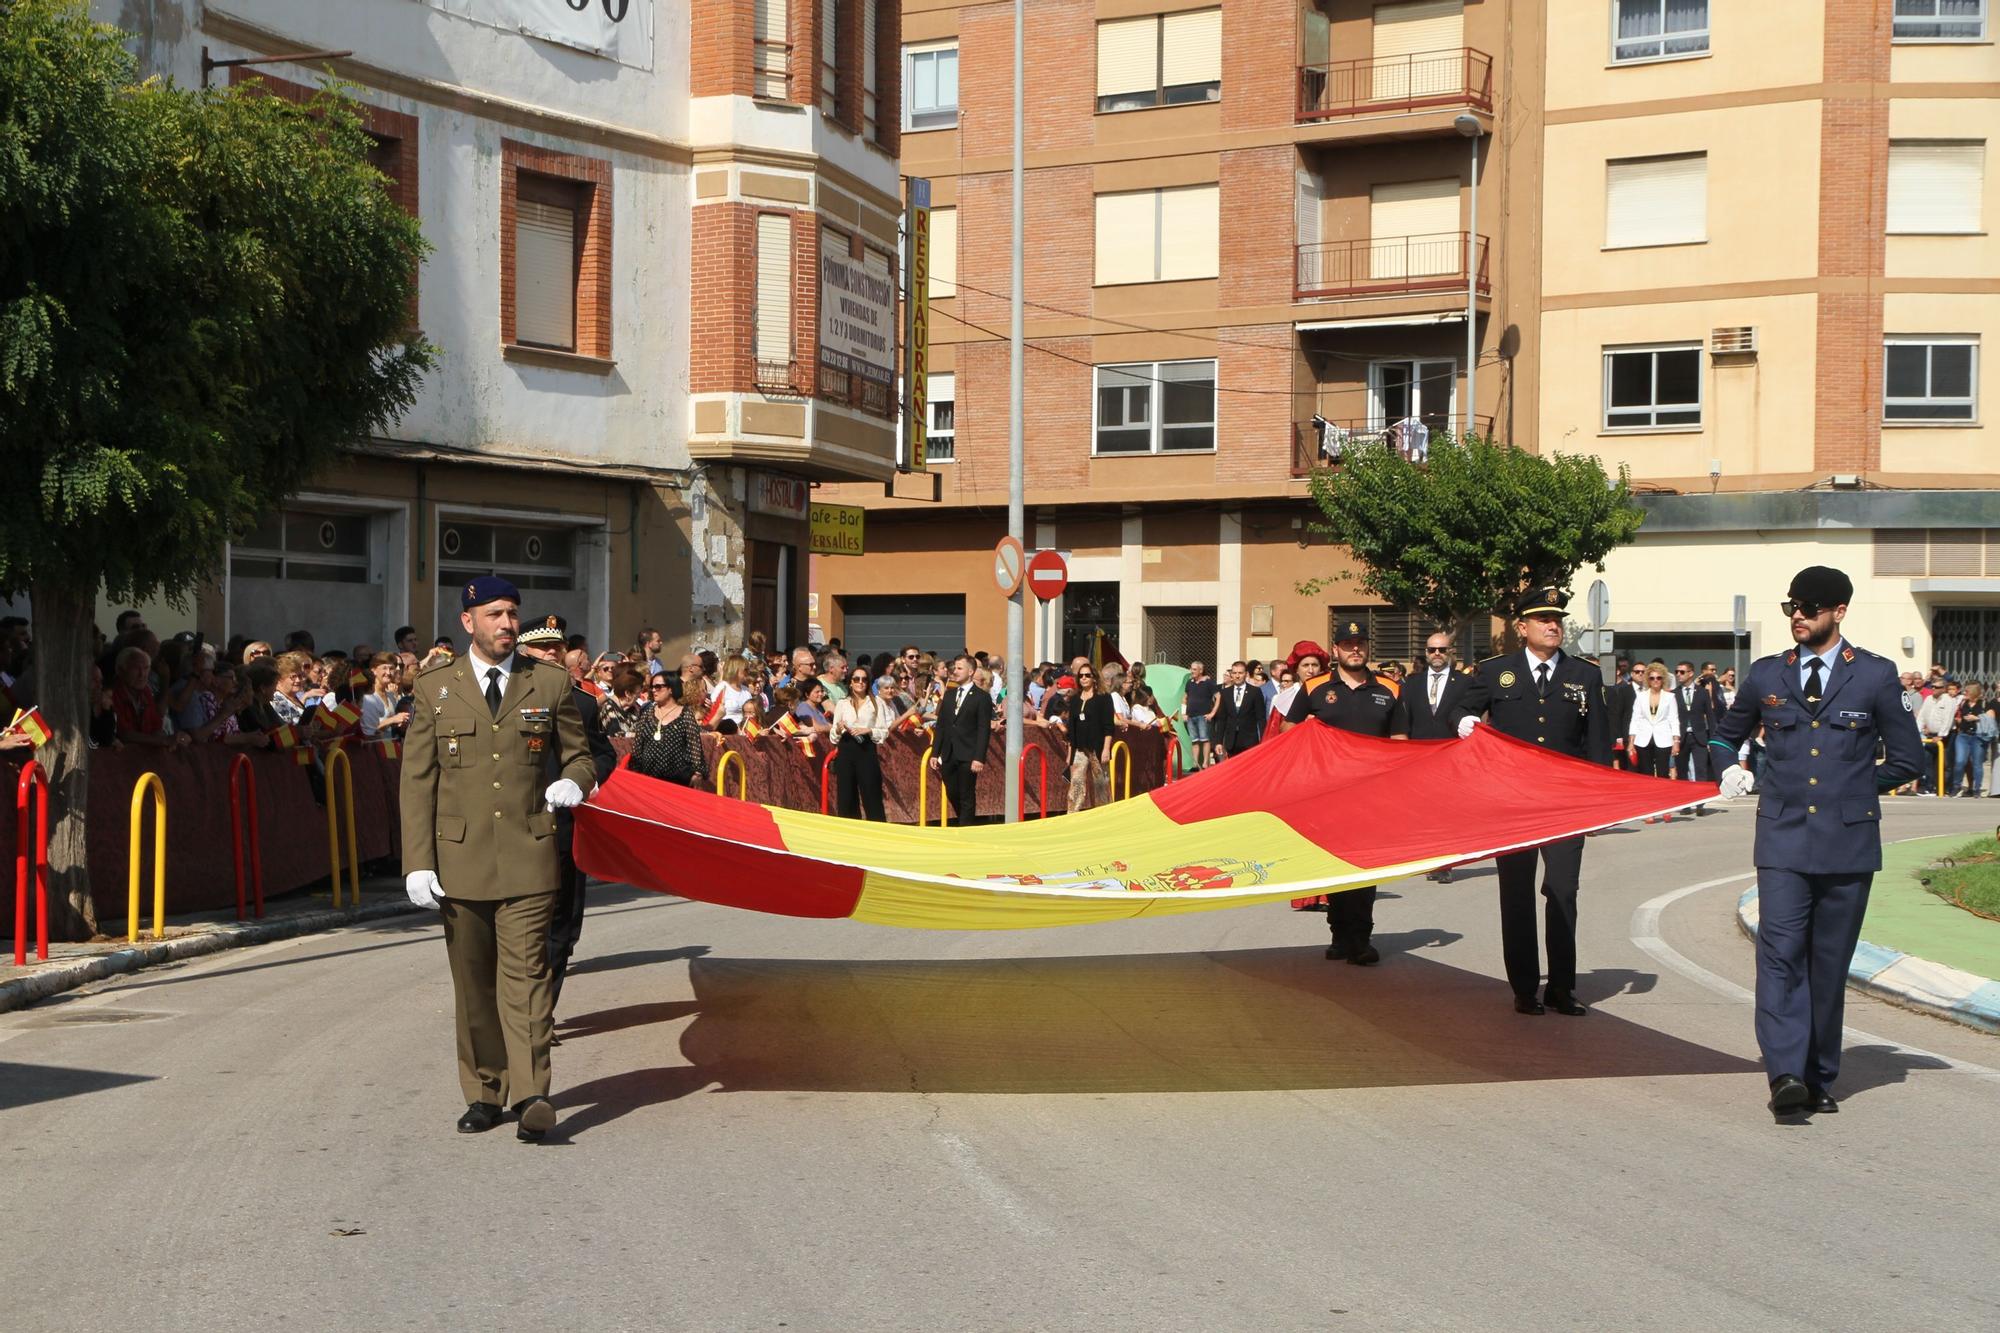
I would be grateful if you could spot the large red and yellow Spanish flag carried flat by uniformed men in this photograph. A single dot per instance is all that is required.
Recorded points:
(1311, 812)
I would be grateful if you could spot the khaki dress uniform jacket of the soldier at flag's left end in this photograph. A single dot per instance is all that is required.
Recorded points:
(473, 784)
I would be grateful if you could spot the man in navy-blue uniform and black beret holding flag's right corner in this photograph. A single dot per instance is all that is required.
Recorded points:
(1819, 832)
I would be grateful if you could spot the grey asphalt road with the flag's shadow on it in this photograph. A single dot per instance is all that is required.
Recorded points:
(1181, 1124)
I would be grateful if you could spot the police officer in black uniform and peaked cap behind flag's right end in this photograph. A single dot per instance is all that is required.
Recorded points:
(1547, 698)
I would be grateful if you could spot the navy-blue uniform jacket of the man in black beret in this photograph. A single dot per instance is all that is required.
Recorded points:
(1819, 810)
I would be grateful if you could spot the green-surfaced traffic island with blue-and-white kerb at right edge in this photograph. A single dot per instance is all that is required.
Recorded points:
(1919, 950)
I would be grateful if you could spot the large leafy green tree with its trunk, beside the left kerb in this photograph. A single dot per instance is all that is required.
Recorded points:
(203, 295)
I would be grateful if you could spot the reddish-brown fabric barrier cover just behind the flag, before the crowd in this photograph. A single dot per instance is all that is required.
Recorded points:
(781, 774)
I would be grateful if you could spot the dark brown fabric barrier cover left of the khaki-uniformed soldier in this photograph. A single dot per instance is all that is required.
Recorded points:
(199, 868)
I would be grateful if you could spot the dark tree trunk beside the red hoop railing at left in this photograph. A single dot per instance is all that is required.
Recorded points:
(63, 641)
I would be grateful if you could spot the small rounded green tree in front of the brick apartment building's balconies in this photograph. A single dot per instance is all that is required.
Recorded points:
(1475, 525)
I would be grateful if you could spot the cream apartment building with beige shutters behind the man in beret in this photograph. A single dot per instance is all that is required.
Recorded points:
(1769, 285)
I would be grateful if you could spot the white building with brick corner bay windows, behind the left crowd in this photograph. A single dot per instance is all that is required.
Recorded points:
(633, 209)
